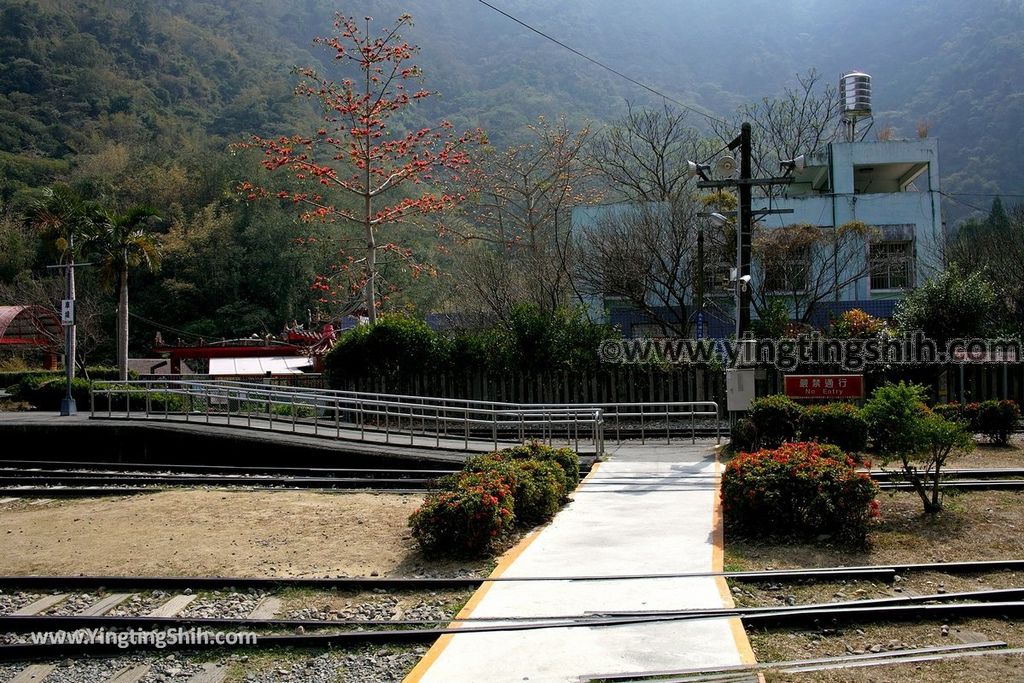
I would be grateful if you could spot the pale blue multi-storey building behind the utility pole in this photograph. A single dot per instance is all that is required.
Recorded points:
(891, 187)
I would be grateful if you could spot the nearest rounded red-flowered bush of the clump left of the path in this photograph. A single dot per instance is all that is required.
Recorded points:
(465, 520)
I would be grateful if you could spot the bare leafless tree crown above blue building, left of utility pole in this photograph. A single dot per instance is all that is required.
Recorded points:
(644, 155)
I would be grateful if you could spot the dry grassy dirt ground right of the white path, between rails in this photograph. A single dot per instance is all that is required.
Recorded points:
(976, 526)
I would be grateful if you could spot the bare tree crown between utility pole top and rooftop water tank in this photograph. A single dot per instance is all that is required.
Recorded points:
(802, 121)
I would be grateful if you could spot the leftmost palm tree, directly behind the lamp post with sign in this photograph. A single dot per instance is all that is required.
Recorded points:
(63, 217)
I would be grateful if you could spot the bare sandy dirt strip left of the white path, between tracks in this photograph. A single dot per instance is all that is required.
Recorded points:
(208, 533)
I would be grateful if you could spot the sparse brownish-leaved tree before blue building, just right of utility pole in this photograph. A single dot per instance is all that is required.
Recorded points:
(805, 265)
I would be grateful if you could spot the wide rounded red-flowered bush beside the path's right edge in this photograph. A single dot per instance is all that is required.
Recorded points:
(800, 490)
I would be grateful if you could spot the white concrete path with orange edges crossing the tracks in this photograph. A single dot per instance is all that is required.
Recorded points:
(648, 510)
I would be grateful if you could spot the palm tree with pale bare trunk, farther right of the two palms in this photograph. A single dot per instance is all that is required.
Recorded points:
(122, 243)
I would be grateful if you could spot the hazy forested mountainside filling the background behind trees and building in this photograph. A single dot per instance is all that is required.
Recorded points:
(138, 102)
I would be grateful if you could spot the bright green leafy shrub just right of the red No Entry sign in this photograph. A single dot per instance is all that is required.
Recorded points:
(892, 414)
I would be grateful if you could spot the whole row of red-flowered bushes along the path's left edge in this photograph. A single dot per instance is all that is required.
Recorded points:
(520, 487)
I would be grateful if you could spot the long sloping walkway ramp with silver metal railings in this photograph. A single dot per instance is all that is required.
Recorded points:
(451, 424)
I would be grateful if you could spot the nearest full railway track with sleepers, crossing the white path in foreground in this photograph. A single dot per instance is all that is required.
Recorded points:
(272, 630)
